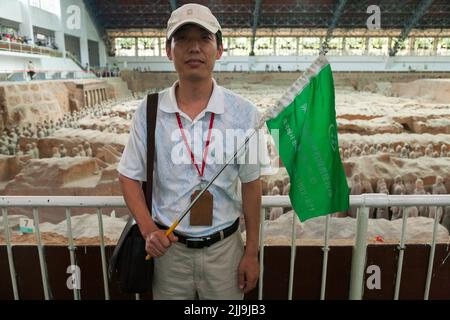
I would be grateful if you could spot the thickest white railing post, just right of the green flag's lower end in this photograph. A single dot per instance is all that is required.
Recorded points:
(359, 255)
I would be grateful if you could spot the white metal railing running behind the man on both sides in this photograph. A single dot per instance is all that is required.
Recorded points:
(362, 202)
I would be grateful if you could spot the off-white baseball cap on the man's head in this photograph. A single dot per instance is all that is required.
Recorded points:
(192, 13)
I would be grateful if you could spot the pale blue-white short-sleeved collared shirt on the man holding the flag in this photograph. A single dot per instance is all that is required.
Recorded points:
(175, 178)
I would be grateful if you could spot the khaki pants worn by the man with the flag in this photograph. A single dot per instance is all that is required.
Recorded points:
(210, 273)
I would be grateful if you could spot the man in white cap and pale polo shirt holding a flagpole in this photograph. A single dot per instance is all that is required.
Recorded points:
(205, 258)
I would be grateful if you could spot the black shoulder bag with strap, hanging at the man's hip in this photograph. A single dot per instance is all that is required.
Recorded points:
(127, 264)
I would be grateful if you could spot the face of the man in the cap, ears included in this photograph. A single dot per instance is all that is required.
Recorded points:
(194, 52)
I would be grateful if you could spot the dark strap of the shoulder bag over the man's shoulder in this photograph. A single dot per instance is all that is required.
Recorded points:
(152, 108)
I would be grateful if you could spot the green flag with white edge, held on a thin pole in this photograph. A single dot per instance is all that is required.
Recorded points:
(308, 144)
